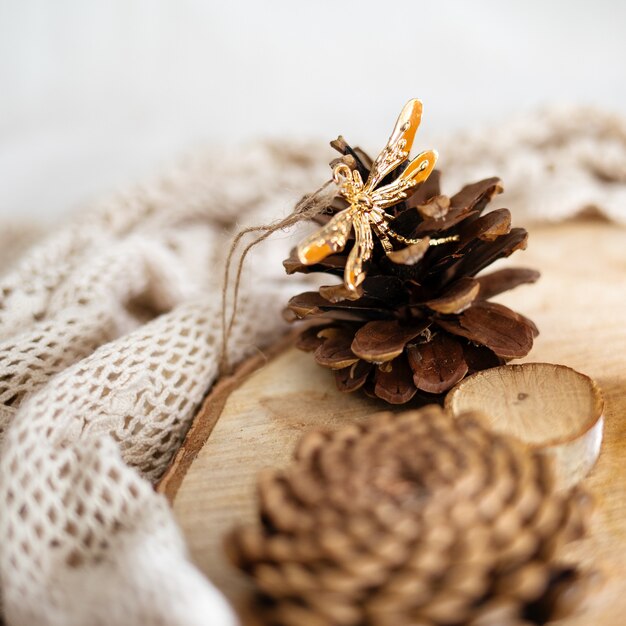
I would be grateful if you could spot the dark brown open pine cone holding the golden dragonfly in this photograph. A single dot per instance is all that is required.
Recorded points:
(421, 320)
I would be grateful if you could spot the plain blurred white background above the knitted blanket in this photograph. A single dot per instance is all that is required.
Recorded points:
(94, 94)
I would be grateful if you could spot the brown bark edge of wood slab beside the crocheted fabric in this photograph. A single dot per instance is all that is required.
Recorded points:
(205, 419)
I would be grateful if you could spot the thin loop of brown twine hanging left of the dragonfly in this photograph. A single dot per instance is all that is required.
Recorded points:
(308, 207)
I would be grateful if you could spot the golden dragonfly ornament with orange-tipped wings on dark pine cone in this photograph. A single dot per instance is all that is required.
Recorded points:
(367, 201)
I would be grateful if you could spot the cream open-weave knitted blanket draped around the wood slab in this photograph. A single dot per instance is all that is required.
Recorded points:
(110, 337)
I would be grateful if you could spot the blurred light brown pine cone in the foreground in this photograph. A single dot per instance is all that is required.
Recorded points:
(412, 519)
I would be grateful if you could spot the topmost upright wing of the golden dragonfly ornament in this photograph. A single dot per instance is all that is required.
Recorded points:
(399, 145)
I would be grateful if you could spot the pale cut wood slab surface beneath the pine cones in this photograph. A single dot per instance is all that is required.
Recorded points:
(579, 305)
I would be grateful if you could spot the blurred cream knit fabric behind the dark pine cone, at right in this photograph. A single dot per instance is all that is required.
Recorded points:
(555, 162)
